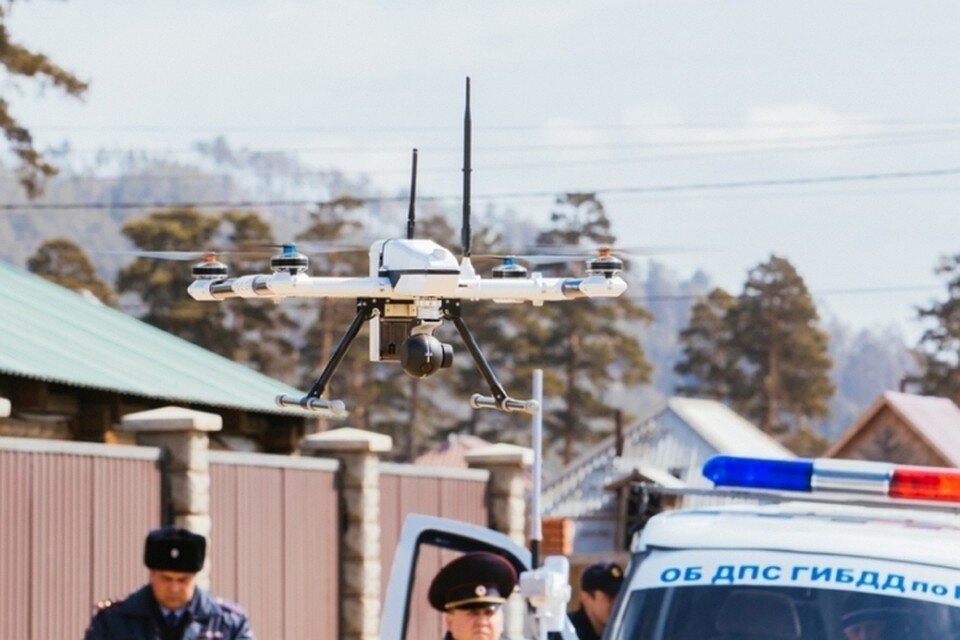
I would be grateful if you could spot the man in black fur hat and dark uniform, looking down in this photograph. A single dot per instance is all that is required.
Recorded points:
(171, 606)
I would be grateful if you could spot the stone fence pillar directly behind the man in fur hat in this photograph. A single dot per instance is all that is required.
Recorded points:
(182, 435)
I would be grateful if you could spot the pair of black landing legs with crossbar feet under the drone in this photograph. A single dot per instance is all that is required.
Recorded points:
(365, 310)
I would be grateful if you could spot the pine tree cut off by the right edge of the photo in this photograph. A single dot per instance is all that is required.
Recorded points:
(938, 351)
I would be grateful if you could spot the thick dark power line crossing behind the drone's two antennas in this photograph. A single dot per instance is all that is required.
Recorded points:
(697, 186)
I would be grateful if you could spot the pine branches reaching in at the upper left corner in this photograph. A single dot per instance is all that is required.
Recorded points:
(21, 62)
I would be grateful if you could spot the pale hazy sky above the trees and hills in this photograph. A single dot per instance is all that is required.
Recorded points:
(846, 113)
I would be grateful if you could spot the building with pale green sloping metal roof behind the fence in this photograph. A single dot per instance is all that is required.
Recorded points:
(70, 368)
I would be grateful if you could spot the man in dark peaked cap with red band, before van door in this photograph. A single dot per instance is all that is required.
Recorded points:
(470, 592)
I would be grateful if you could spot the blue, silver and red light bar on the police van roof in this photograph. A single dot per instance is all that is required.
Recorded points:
(824, 475)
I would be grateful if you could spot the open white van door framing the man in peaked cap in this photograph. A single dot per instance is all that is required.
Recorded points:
(426, 544)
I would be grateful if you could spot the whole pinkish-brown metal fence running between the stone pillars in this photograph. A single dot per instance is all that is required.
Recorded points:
(73, 517)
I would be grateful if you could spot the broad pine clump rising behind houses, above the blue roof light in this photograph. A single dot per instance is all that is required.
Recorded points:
(762, 353)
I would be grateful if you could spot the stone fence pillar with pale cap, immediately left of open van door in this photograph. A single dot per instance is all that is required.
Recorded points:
(359, 455)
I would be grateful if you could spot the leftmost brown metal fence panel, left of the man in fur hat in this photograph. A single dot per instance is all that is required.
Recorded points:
(73, 518)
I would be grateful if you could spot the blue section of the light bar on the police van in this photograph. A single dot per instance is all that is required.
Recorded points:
(757, 473)
